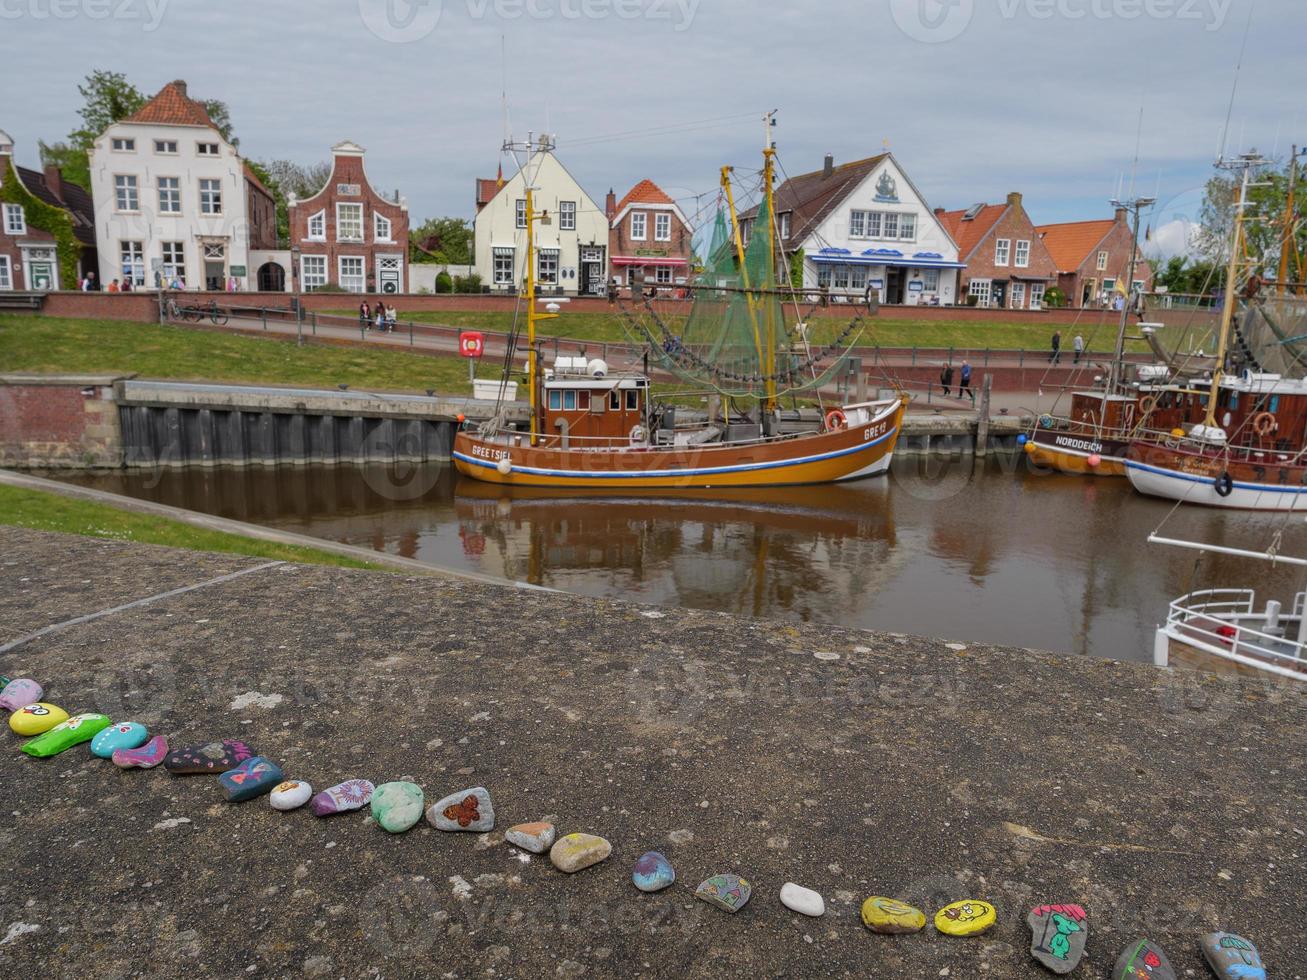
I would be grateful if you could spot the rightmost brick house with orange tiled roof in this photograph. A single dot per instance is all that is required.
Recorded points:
(1093, 258)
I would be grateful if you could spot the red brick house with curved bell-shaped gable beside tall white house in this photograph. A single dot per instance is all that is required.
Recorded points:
(350, 233)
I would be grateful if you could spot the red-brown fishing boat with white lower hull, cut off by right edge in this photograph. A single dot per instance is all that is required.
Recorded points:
(1250, 450)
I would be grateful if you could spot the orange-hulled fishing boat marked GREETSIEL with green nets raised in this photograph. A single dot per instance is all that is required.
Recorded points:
(740, 348)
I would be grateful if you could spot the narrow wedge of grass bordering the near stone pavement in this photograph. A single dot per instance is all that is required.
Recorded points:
(42, 512)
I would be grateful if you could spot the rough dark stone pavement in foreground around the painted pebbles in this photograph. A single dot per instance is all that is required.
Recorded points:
(853, 764)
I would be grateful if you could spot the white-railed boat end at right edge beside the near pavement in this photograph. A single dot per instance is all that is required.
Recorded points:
(1215, 619)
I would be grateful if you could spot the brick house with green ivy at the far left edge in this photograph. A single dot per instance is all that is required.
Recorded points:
(32, 257)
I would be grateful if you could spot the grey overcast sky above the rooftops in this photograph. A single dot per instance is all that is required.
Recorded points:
(976, 97)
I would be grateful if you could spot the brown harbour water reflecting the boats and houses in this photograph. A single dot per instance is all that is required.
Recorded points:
(987, 552)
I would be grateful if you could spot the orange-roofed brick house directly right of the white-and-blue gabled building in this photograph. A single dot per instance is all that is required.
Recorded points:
(1007, 263)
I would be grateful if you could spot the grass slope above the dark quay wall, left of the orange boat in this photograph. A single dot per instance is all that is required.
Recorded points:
(176, 353)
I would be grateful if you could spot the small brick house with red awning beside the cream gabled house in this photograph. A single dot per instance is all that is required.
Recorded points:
(649, 233)
